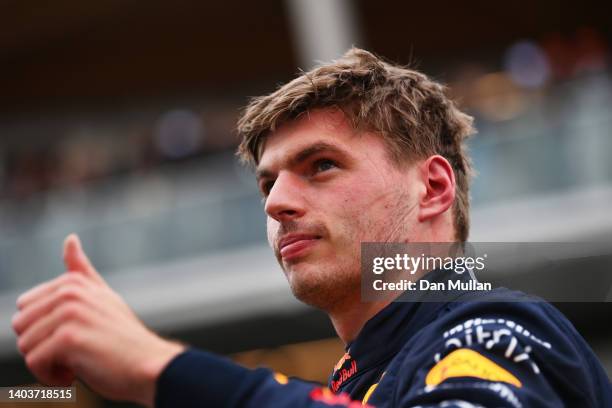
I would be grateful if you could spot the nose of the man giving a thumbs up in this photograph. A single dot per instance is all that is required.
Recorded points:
(286, 198)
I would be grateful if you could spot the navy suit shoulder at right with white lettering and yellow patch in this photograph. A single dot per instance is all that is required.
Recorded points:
(502, 342)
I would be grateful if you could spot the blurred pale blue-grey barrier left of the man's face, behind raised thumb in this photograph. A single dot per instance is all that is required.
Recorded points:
(172, 213)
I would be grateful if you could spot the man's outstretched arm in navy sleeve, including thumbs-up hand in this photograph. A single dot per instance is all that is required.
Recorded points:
(76, 326)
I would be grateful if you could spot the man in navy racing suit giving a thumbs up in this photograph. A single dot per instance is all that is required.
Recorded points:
(355, 151)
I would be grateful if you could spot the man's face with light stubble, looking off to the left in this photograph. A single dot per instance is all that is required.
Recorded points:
(327, 189)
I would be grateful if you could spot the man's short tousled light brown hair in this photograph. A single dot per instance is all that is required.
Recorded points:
(410, 111)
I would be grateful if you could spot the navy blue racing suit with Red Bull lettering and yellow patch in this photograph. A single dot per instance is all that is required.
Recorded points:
(495, 349)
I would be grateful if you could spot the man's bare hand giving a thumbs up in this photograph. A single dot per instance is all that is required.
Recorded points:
(76, 326)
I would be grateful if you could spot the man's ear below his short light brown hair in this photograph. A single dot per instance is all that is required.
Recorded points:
(439, 181)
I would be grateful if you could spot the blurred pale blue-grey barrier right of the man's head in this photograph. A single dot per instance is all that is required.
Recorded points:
(563, 140)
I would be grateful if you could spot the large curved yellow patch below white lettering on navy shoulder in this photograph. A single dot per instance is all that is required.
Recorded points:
(469, 363)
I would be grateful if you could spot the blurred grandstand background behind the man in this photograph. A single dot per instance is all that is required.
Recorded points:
(117, 122)
